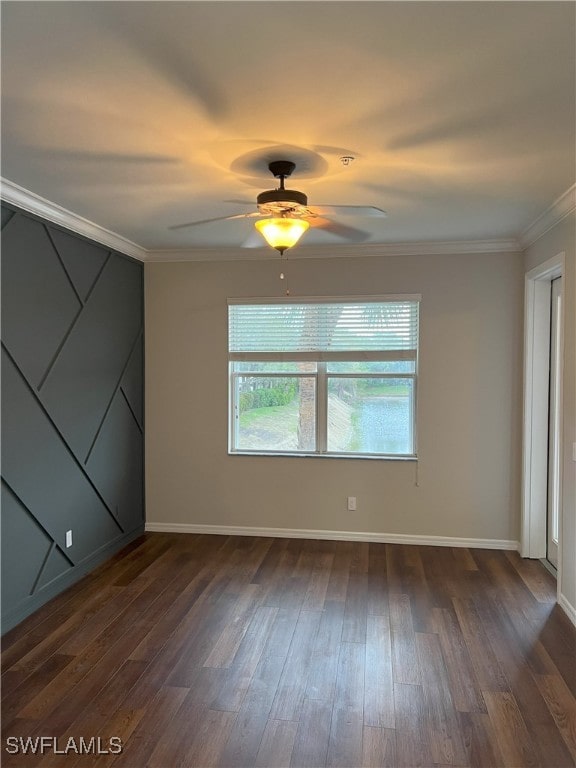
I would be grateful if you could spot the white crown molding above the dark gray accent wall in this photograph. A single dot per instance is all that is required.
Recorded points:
(29, 201)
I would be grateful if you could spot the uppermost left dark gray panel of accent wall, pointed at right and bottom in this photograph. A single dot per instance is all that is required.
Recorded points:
(39, 305)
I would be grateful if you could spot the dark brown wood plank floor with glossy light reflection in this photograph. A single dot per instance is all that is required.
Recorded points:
(202, 651)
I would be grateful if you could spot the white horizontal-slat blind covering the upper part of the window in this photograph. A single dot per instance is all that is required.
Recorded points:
(336, 329)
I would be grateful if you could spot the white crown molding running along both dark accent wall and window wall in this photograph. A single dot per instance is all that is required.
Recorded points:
(33, 203)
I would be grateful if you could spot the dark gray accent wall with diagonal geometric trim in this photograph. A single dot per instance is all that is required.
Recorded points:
(72, 409)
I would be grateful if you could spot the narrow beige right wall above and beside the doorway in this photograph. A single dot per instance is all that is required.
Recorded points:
(562, 238)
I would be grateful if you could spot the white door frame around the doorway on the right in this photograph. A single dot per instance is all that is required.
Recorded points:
(536, 385)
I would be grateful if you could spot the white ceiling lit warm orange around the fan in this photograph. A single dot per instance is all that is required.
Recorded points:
(143, 115)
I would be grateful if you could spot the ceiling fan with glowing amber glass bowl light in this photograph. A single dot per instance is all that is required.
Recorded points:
(289, 214)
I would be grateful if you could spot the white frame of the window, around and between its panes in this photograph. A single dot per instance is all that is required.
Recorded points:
(322, 377)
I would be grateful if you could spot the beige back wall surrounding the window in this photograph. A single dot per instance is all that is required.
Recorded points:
(469, 410)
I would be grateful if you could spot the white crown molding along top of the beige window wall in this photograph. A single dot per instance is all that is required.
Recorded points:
(425, 248)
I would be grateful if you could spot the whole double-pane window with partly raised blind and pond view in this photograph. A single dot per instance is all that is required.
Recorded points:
(331, 377)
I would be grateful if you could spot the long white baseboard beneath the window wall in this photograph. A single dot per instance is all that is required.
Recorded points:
(304, 533)
